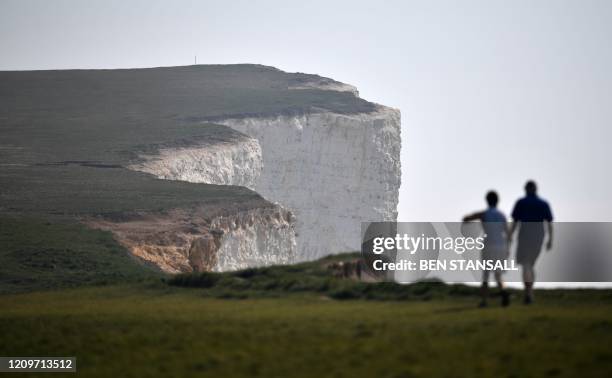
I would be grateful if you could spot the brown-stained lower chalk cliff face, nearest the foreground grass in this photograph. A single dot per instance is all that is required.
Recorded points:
(207, 238)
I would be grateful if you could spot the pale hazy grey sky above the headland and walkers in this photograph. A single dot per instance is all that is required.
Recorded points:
(491, 92)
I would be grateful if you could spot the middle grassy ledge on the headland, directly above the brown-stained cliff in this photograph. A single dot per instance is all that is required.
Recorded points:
(78, 191)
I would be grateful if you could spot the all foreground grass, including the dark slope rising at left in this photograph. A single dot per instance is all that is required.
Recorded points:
(298, 320)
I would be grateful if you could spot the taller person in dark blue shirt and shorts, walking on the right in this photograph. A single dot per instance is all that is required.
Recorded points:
(530, 215)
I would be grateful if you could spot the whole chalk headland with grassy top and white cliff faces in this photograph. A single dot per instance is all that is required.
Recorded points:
(200, 168)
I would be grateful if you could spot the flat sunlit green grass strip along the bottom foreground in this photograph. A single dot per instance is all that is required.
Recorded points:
(153, 330)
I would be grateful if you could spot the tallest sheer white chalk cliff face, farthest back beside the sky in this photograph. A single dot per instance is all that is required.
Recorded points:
(333, 170)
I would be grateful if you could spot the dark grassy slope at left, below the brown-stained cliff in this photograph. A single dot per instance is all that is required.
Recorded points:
(40, 255)
